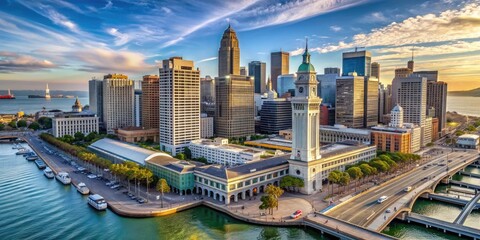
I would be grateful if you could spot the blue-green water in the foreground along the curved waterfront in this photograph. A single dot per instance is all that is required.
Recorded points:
(34, 207)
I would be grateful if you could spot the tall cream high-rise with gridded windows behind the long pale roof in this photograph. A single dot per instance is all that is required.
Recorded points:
(179, 104)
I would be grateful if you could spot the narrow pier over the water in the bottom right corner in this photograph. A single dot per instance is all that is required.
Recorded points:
(445, 226)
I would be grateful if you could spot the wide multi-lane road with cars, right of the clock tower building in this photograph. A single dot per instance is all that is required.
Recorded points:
(364, 209)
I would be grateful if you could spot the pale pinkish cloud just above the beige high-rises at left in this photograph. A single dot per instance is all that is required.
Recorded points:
(107, 60)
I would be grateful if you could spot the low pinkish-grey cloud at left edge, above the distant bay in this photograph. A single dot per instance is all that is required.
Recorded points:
(11, 62)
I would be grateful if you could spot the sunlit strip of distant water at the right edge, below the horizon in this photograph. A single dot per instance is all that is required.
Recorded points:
(458, 104)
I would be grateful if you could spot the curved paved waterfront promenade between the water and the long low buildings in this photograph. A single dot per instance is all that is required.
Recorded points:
(246, 210)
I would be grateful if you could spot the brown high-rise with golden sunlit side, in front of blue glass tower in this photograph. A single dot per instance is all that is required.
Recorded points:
(349, 107)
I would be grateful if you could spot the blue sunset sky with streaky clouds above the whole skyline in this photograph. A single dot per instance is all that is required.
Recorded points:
(66, 43)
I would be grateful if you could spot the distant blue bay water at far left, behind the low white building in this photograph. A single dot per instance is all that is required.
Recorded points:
(33, 105)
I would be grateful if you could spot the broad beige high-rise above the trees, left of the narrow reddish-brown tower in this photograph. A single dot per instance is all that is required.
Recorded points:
(118, 102)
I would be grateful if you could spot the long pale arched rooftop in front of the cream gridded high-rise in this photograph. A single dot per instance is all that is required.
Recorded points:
(125, 151)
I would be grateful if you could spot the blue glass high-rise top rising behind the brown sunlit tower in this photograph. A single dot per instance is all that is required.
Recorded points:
(358, 61)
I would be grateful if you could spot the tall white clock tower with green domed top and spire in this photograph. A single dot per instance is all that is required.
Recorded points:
(305, 127)
